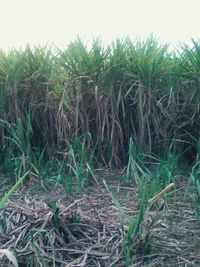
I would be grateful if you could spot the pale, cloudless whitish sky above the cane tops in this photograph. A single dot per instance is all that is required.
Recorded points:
(60, 21)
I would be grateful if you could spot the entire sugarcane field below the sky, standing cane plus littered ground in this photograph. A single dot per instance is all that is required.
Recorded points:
(100, 155)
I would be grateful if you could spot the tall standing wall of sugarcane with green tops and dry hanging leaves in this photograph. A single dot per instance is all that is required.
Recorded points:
(128, 90)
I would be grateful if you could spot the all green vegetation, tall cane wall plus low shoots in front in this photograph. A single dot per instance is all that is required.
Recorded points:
(132, 104)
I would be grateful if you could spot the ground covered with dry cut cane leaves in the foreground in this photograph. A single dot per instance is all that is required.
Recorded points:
(90, 227)
